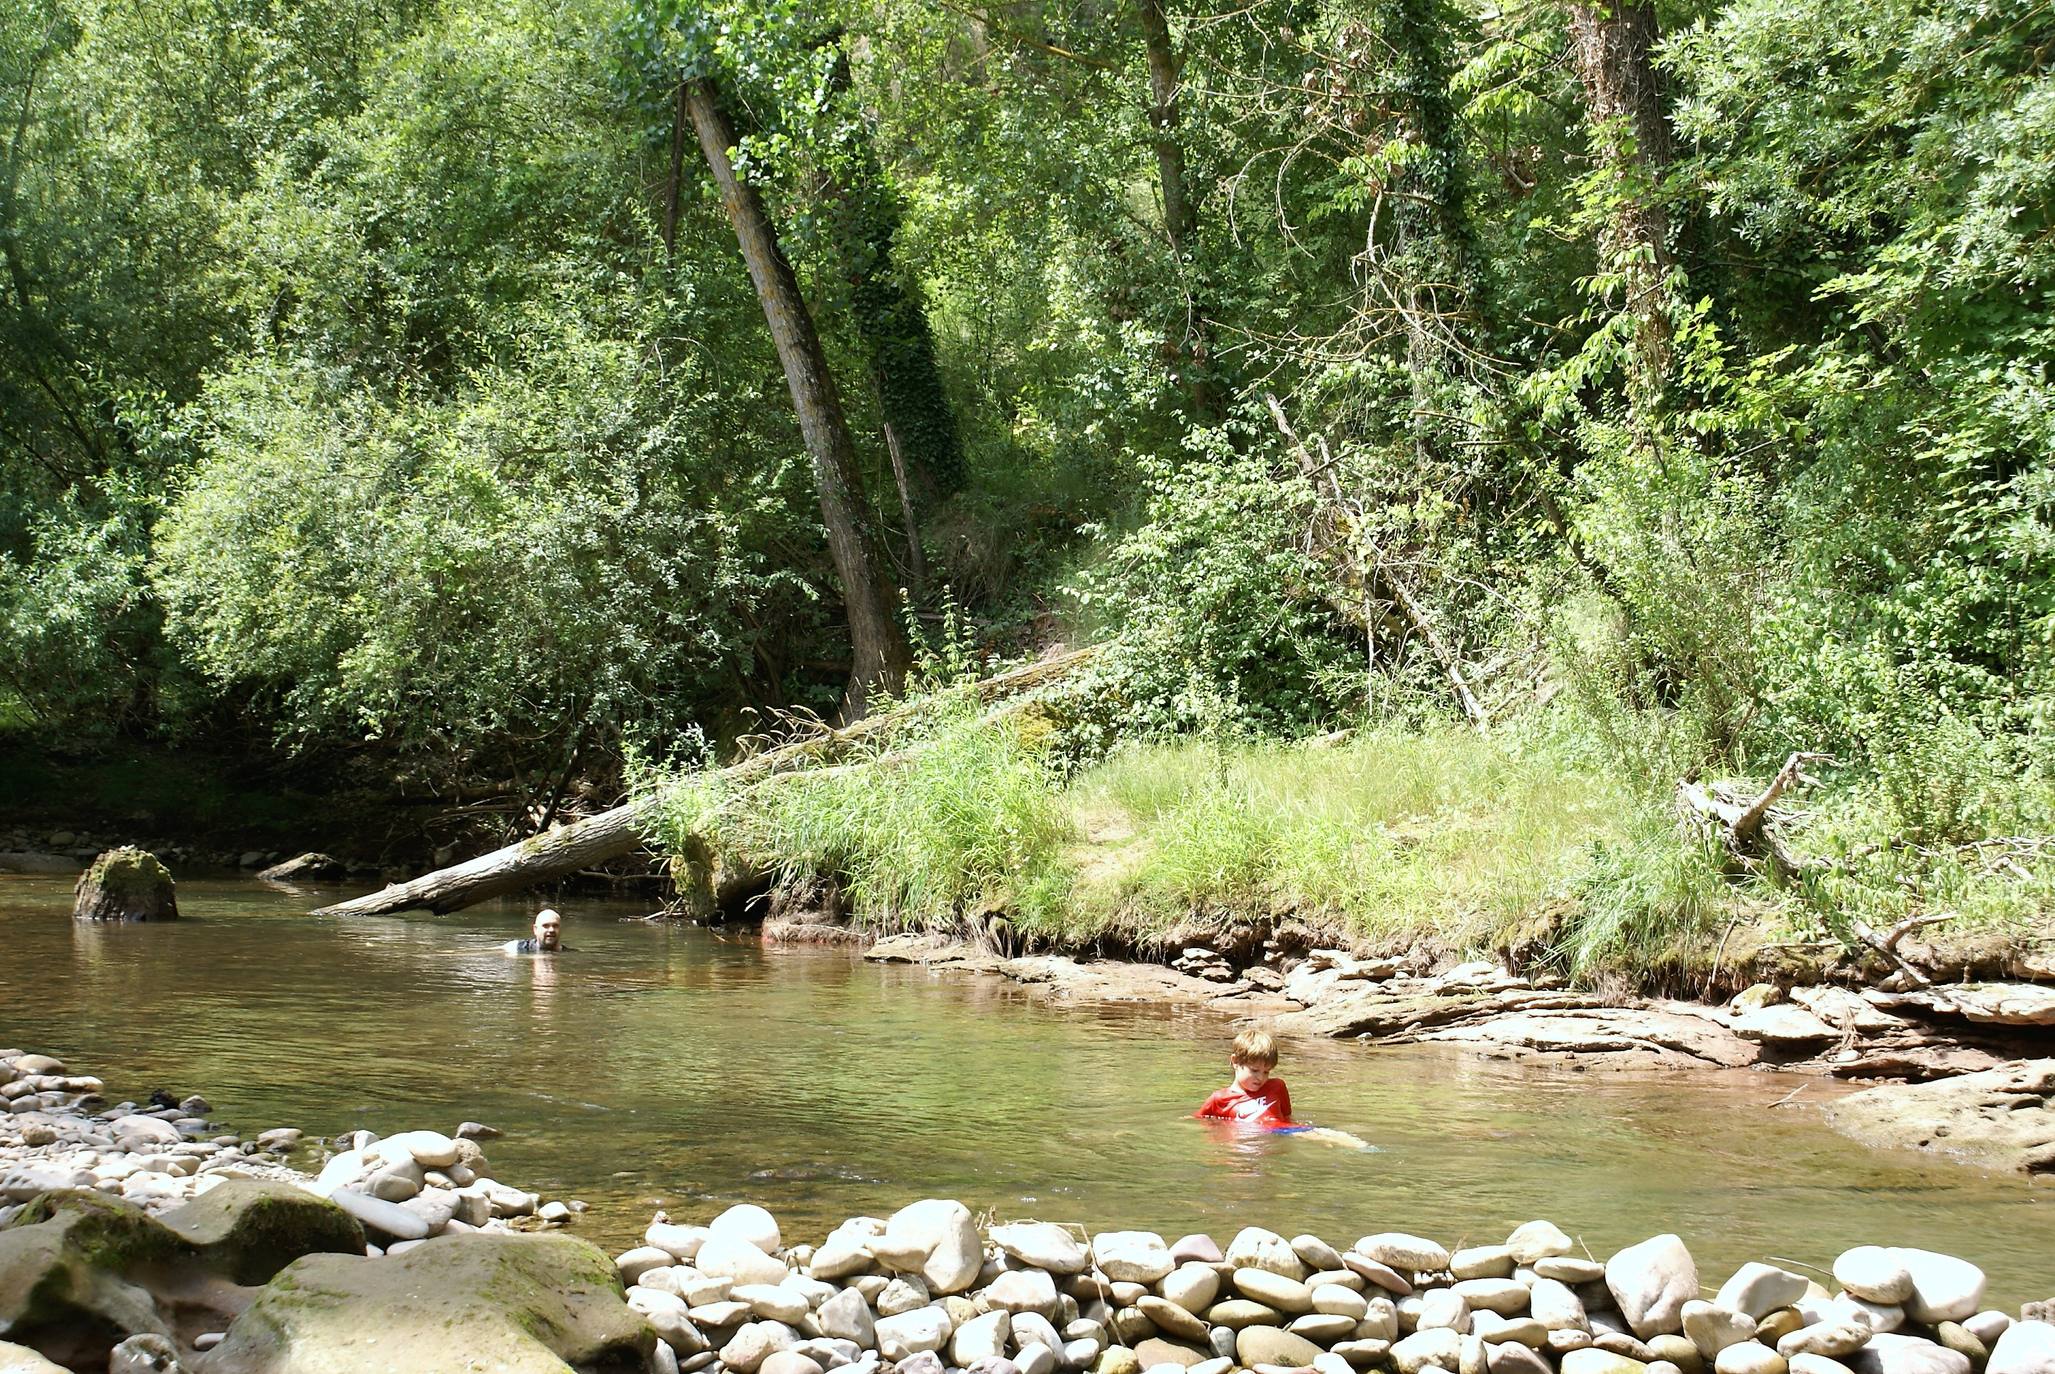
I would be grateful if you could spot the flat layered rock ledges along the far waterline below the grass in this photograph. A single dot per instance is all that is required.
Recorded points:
(1961, 1069)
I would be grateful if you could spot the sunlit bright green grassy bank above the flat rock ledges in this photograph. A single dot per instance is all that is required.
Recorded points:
(1437, 841)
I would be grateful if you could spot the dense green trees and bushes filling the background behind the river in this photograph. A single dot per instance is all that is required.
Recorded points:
(387, 375)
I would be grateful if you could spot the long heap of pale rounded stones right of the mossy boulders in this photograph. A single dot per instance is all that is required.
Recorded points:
(928, 1293)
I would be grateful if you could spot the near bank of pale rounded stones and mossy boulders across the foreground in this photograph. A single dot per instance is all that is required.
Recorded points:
(241, 1264)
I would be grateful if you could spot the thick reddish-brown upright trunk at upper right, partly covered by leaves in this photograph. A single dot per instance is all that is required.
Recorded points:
(1614, 50)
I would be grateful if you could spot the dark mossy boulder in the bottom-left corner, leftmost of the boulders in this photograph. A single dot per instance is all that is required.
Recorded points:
(69, 1276)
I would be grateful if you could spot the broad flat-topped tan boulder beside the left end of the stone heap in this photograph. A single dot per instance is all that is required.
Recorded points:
(509, 1303)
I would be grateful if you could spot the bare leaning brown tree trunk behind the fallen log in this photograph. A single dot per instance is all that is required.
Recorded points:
(876, 640)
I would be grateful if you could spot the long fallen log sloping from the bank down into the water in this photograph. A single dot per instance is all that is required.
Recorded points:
(609, 835)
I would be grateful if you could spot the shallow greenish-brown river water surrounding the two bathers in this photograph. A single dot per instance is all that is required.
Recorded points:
(663, 1067)
